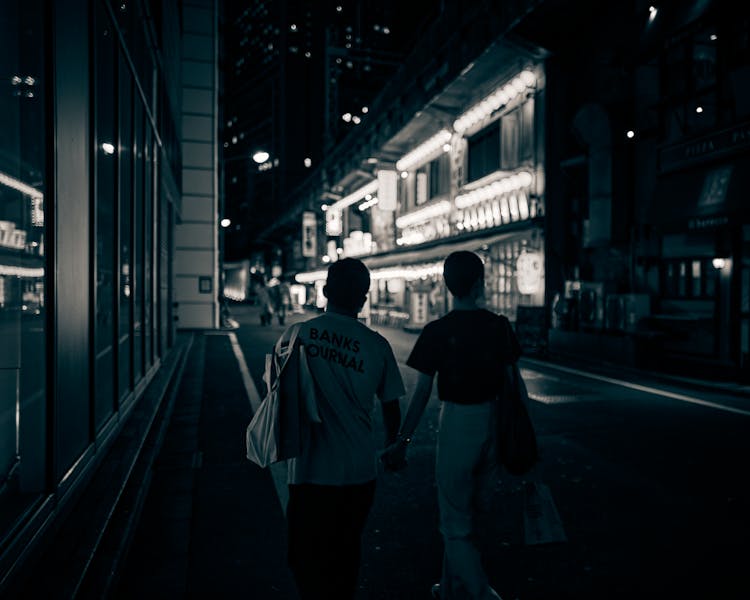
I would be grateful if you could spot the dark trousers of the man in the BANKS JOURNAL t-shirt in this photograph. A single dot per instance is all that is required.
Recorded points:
(325, 524)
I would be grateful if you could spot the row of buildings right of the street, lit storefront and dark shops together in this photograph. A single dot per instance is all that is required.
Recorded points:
(622, 158)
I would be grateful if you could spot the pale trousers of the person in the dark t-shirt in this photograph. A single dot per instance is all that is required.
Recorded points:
(461, 468)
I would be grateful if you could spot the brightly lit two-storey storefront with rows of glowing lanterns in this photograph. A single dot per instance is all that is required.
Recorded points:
(475, 185)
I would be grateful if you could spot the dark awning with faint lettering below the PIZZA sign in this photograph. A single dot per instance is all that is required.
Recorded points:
(700, 198)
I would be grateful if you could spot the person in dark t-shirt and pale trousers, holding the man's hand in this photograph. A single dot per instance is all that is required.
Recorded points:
(469, 349)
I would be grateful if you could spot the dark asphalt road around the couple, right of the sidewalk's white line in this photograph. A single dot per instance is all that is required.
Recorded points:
(650, 482)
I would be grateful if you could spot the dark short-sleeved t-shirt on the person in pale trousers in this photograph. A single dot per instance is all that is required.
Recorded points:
(466, 348)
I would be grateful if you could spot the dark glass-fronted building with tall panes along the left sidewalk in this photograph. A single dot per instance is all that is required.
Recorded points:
(91, 185)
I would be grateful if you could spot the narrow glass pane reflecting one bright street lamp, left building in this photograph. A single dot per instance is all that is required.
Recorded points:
(106, 202)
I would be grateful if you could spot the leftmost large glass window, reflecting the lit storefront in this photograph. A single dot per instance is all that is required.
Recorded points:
(22, 257)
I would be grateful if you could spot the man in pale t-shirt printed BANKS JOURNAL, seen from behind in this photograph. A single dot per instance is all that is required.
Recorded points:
(332, 484)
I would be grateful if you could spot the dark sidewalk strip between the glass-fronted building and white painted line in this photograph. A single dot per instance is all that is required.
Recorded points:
(212, 525)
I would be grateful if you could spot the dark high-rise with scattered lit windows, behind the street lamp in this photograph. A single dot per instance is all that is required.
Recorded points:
(298, 76)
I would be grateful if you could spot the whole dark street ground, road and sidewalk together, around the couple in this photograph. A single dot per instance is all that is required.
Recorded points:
(647, 477)
